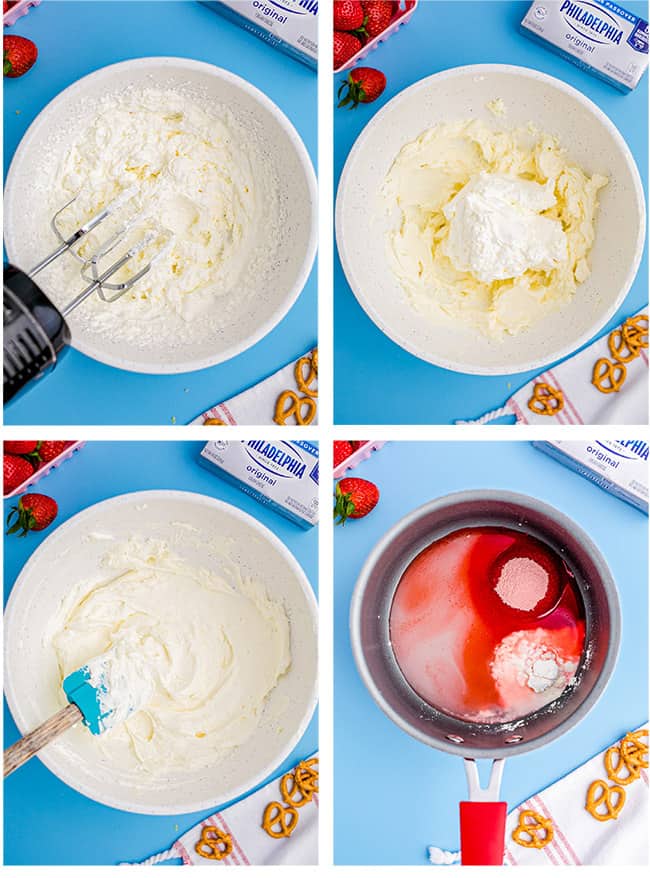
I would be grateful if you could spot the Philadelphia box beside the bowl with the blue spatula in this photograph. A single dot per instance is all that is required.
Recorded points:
(283, 475)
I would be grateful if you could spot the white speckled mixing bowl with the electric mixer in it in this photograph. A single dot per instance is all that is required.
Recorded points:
(254, 312)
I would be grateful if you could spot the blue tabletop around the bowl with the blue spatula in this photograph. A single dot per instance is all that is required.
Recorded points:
(71, 829)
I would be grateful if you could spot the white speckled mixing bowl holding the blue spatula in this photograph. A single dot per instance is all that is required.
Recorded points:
(68, 556)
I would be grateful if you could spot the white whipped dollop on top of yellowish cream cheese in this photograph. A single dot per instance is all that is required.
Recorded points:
(497, 229)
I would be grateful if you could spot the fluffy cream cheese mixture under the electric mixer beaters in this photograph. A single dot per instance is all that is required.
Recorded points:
(195, 178)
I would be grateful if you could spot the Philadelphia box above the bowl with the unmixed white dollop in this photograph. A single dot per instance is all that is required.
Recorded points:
(598, 35)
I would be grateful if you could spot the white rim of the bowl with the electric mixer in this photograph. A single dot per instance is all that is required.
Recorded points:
(194, 365)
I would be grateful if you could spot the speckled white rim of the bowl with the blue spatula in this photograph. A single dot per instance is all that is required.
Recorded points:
(13, 701)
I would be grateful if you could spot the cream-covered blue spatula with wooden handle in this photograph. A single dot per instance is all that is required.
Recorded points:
(94, 698)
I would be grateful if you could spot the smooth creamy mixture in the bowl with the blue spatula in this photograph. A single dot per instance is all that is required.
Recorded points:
(200, 653)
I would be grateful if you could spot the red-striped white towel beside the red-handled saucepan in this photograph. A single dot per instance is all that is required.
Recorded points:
(578, 838)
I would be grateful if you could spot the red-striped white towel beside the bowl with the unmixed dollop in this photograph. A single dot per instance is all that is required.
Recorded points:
(583, 402)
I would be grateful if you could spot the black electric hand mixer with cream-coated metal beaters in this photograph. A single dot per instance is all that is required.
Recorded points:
(35, 330)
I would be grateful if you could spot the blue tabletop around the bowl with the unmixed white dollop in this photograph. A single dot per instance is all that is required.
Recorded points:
(376, 382)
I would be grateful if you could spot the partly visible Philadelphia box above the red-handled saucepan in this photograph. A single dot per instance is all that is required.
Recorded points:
(618, 466)
